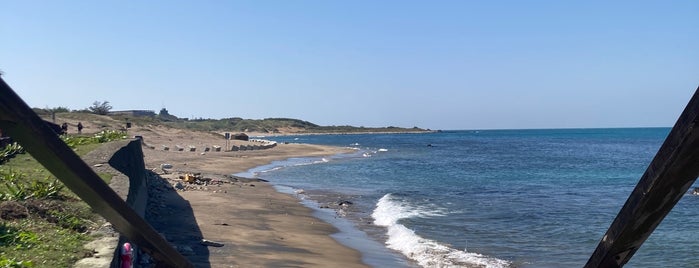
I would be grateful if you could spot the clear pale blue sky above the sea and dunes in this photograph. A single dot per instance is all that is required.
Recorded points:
(432, 64)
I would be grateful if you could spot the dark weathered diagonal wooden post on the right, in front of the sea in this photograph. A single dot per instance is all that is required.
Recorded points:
(673, 170)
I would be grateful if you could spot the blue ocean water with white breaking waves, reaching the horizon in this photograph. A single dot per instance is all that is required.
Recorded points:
(486, 198)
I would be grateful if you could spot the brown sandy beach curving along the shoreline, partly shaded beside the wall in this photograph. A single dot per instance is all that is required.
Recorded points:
(258, 226)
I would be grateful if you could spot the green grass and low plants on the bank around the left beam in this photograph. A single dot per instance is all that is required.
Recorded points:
(43, 223)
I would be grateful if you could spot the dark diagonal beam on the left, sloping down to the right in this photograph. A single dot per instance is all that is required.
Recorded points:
(25, 127)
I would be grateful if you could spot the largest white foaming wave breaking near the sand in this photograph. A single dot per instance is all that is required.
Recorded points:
(426, 252)
